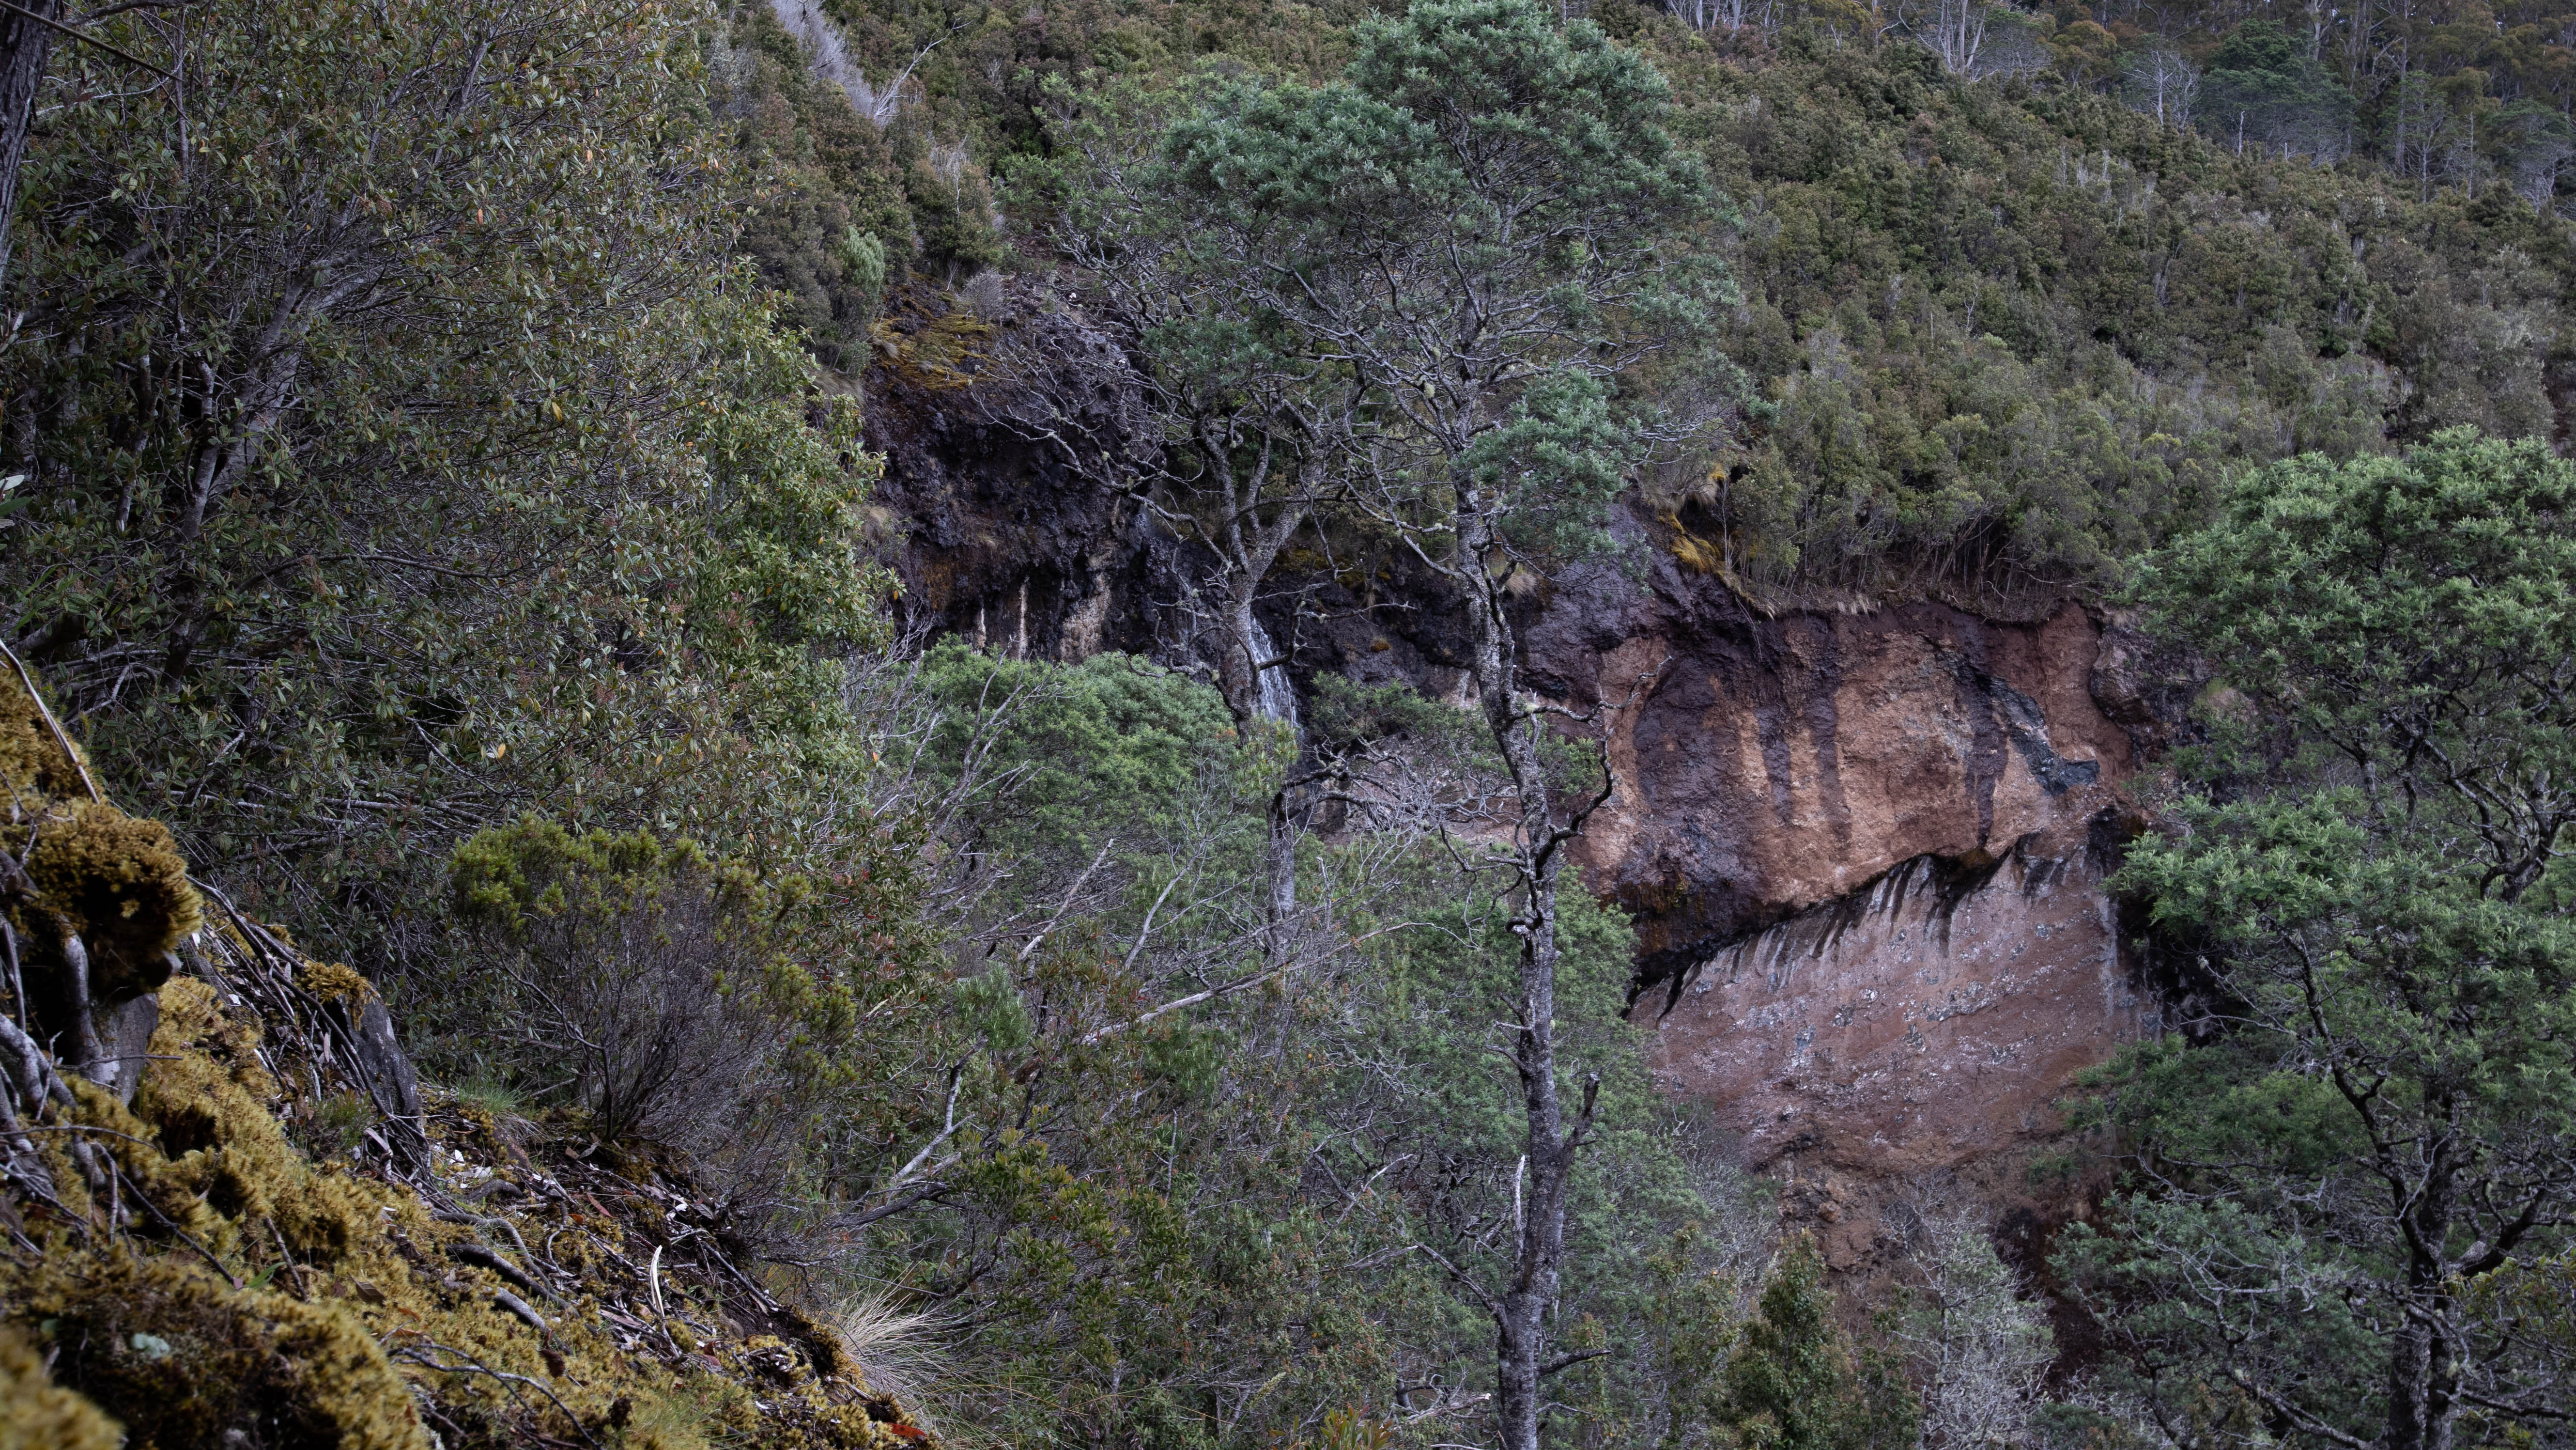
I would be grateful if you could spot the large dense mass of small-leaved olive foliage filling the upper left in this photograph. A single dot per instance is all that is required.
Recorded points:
(493, 493)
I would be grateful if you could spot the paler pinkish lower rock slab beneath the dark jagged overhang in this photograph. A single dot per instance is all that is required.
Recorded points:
(1915, 1026)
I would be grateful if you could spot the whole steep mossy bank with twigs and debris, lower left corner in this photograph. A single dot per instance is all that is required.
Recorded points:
(236, 1222)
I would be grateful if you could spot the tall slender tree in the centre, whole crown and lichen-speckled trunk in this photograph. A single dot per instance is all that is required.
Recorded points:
(1488, 225)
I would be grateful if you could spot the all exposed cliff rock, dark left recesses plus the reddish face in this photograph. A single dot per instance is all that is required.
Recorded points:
(1864, 851)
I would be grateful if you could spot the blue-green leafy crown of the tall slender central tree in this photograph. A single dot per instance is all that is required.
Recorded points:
(1534, 164)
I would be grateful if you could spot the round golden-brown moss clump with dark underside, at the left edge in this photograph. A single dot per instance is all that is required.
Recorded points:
(120, 882)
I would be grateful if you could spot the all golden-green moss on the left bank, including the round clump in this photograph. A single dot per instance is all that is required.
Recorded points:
(334, 1304)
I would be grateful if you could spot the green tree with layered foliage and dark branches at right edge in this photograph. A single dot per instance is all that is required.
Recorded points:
(2376, 854)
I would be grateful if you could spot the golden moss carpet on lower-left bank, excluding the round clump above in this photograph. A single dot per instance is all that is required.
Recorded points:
(341, 1289)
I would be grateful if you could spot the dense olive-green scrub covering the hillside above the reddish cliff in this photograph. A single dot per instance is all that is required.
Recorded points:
(2005, 334)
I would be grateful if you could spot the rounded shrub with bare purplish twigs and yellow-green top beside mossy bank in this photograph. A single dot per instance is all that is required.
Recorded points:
(699, 1006)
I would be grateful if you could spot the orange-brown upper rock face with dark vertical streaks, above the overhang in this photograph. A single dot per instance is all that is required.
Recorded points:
(1776, 764)
